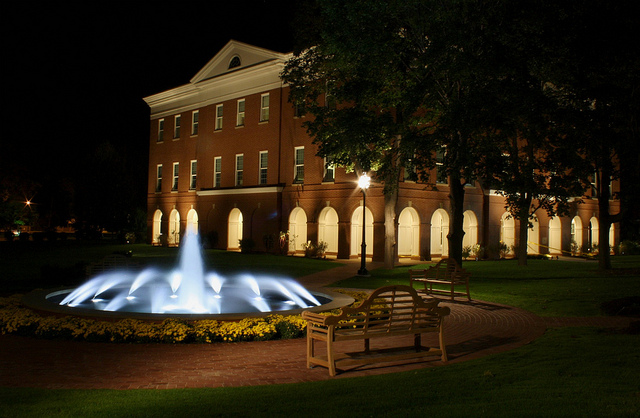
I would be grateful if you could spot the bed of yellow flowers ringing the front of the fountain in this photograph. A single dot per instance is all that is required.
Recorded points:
(19, 320)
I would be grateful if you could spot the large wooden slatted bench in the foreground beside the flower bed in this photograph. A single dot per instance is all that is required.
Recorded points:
(389, 311)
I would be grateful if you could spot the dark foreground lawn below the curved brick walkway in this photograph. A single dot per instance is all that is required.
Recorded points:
(567, 372)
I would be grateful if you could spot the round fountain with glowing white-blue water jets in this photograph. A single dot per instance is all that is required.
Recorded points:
(186, 291)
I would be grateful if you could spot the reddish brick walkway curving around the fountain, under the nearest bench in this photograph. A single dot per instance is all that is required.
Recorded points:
(473, 330)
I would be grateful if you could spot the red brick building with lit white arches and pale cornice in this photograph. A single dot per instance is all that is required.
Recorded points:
(229, 157)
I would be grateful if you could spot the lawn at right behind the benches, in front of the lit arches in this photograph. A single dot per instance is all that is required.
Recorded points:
(544, 287)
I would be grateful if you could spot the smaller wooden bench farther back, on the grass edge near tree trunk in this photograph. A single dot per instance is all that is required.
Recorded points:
(447, 272)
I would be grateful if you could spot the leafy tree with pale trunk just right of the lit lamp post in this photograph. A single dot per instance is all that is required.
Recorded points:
(358, 81)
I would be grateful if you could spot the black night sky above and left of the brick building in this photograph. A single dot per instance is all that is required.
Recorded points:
(74, 77)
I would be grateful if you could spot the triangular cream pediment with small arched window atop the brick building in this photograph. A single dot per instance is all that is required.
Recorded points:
(242, 55)
